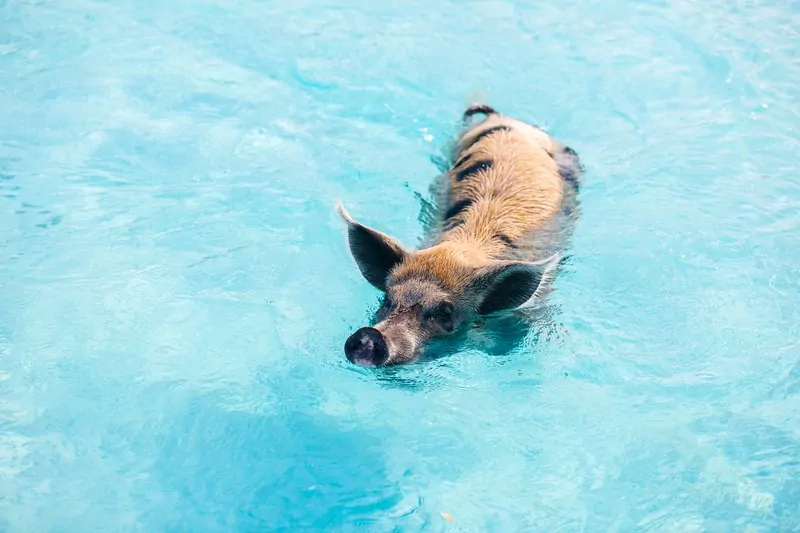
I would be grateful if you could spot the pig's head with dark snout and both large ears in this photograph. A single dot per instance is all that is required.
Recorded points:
(430, 294)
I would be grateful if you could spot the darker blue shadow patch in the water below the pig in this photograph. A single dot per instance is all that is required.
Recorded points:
(241, 471)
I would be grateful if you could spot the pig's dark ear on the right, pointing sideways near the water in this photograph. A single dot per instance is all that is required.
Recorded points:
(509, 284)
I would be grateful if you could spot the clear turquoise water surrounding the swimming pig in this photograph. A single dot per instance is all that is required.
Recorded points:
(176, 289)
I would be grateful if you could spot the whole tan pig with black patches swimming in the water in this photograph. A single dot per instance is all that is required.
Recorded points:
(508, 200)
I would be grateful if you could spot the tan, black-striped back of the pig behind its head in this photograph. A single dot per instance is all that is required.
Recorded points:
(509, 185)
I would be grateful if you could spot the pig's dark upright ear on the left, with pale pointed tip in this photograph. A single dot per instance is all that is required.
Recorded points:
(376, 253)
